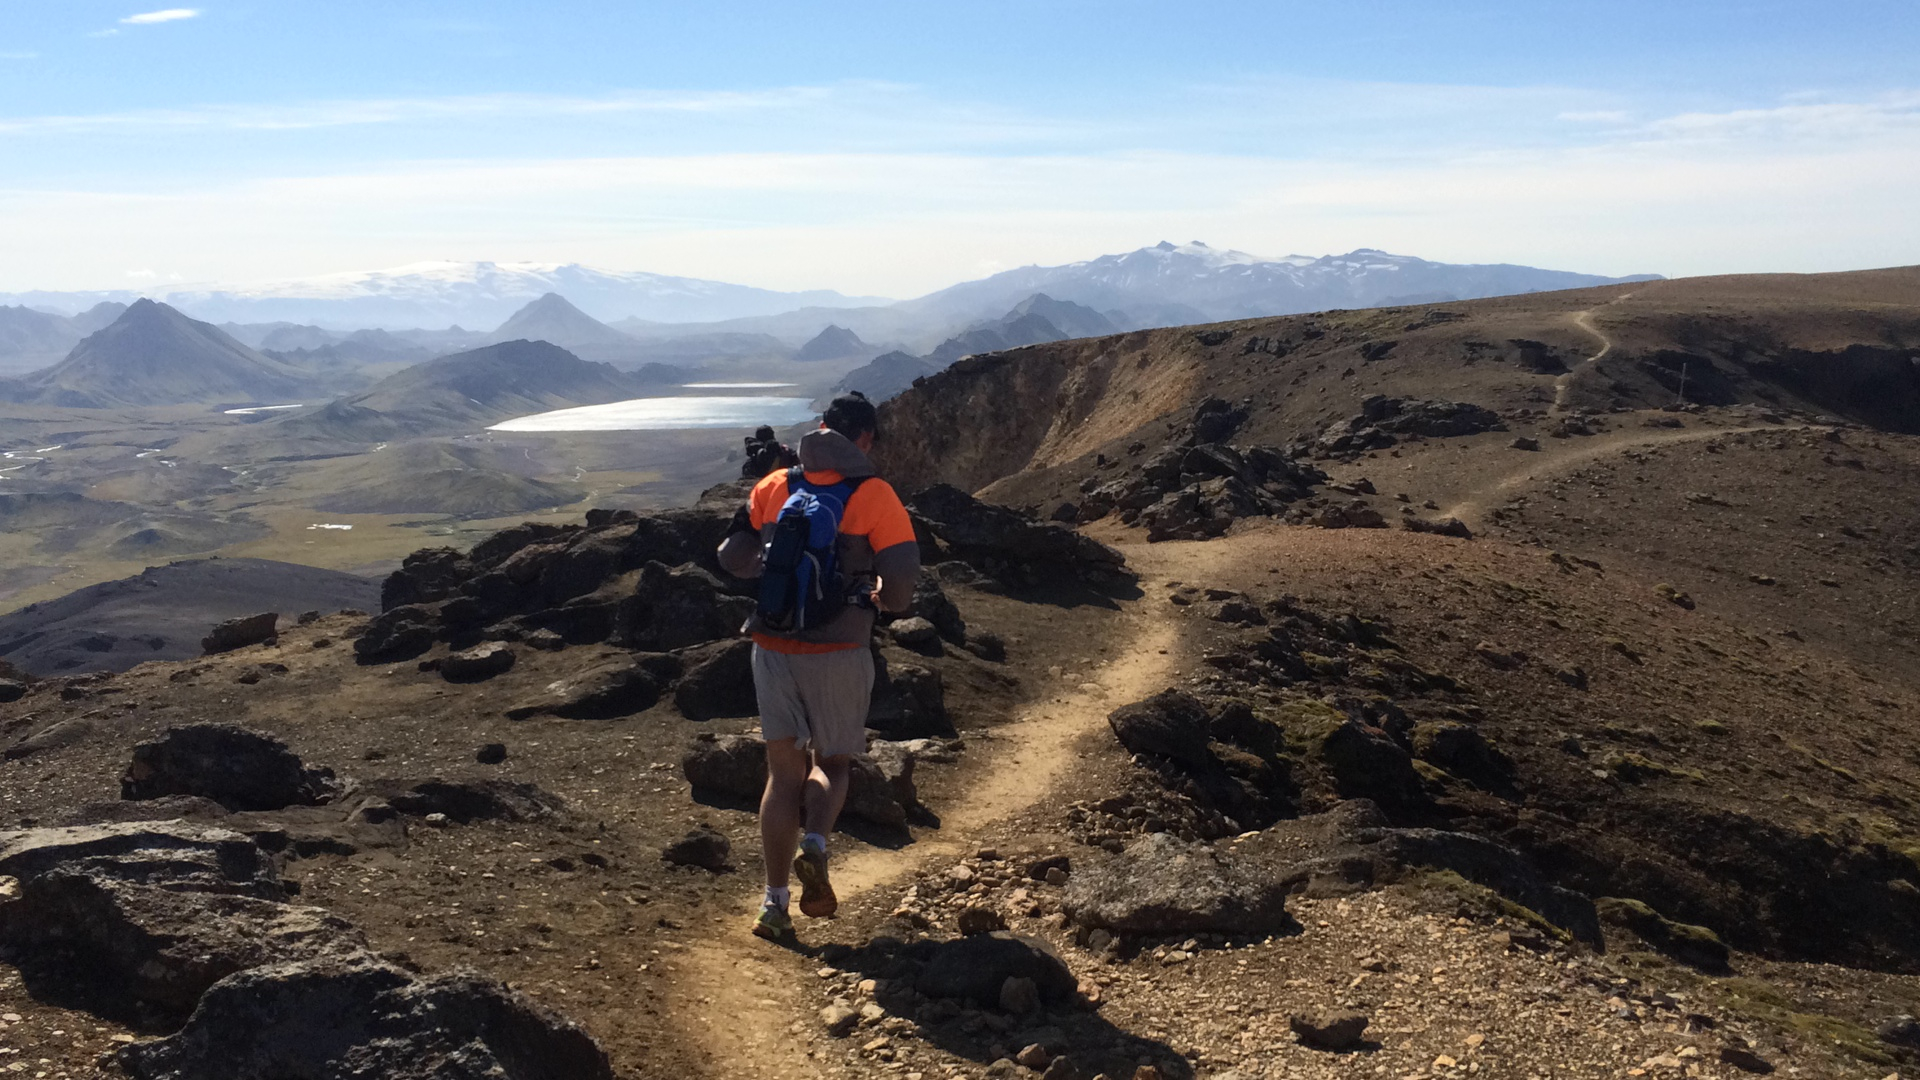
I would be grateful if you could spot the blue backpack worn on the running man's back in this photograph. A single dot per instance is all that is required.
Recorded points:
(800, 572)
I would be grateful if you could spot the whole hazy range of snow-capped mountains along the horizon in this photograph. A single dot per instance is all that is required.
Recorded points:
(1161, 285)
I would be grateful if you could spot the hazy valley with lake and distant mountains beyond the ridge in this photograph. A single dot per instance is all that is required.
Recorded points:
(160, 433)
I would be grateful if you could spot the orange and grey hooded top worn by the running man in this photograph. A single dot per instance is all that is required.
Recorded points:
(876, 543)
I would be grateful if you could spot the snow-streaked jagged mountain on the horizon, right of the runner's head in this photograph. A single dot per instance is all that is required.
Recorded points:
(1193, 283)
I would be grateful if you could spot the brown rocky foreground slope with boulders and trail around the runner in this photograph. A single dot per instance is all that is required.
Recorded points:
(1612, 779)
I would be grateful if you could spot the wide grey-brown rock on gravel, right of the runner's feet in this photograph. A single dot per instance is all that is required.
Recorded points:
(1163, 885)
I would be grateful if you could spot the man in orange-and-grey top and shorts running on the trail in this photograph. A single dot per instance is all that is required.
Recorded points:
(815, 681)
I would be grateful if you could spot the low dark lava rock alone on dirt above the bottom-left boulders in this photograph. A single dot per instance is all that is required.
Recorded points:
(231, 766)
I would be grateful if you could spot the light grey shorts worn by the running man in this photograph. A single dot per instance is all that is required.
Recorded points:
(819, 700)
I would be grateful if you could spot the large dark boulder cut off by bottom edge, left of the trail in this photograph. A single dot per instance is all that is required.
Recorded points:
(364, 1019)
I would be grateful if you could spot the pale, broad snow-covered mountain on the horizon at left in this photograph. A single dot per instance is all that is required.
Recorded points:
(469, 295)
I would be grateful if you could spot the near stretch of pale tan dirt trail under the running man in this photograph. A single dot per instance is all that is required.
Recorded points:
(742, 1000)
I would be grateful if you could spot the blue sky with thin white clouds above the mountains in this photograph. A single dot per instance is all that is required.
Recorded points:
(894, 149)
